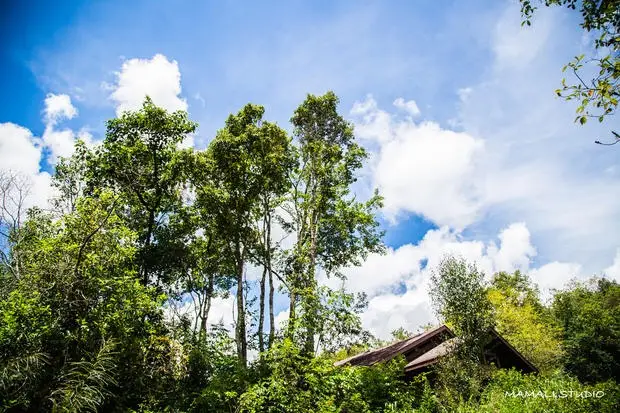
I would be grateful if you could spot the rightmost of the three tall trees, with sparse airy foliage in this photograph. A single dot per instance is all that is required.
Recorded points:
(333, 229)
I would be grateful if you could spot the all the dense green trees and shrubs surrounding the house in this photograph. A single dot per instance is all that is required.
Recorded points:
(105, 298)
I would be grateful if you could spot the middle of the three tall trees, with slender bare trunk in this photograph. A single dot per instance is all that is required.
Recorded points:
(245, 167)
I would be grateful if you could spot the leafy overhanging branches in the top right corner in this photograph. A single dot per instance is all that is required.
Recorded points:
(598, 97)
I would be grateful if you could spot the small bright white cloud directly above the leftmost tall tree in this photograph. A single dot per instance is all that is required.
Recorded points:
(157, 77)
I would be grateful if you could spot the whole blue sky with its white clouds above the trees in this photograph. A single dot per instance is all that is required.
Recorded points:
(489, 166)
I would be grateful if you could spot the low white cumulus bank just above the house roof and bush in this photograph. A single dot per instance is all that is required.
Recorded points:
(397, 282)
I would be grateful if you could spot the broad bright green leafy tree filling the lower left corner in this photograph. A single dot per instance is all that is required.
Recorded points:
(91, 327)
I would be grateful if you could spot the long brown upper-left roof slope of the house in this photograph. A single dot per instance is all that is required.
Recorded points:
(370, 357)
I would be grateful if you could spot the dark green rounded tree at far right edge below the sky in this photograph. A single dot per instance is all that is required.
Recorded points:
(589, 314)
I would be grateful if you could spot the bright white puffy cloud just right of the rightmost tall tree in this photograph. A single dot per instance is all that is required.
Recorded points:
(422, 168)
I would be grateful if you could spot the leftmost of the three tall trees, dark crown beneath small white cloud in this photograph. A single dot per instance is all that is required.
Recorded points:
(139, 158)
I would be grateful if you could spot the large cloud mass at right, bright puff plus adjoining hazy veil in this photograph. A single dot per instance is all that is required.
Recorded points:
(516, 157)
